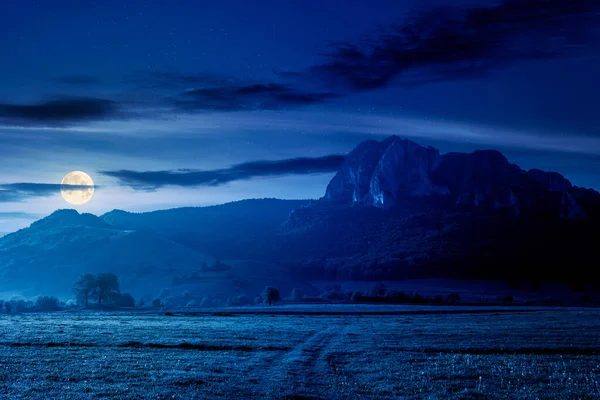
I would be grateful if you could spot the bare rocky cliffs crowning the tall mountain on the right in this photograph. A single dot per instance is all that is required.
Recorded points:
(395, 171)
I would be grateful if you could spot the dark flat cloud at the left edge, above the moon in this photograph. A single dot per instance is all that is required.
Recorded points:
(57, 112)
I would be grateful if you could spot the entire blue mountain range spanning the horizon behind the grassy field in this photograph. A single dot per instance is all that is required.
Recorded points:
(394, 210)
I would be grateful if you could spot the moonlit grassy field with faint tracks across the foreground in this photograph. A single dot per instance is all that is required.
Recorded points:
(498, 354)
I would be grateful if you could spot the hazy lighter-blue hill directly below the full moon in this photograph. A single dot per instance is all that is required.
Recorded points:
(48, 256)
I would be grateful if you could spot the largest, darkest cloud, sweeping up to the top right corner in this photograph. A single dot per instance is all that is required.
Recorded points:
(448, 43)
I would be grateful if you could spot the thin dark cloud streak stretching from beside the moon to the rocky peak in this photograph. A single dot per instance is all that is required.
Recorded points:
(151, 180)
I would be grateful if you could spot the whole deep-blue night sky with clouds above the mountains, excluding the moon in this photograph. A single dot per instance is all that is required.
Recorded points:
(179, 103)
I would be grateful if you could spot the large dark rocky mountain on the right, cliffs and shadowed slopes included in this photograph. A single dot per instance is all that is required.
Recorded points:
(396, 209)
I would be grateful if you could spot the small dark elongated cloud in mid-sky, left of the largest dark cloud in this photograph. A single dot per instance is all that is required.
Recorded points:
(261, 96)
